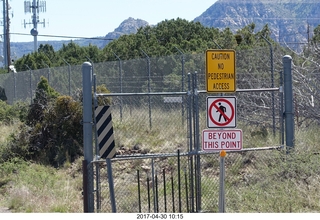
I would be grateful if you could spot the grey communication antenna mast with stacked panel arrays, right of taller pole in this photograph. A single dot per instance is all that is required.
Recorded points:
(35, 7)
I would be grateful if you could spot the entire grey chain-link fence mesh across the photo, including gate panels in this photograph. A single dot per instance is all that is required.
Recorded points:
(157, 167)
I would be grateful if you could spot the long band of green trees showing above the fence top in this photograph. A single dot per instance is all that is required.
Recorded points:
(167, 38)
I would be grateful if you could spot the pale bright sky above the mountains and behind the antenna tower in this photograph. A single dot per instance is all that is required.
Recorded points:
(95, 18)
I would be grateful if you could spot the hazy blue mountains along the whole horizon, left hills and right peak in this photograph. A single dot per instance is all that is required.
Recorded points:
(290, 21)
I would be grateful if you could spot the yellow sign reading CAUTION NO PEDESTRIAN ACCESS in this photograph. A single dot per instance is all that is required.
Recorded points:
(221, 71)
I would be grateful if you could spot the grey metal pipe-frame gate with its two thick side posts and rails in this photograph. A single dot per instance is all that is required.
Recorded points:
(187, 105)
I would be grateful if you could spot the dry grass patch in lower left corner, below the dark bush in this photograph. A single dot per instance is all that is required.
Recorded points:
(39, 189)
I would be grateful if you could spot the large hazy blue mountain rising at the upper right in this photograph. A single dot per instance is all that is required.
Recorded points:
(291, 21)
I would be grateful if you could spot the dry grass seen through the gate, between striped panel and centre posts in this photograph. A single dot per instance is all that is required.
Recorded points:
(163, 133)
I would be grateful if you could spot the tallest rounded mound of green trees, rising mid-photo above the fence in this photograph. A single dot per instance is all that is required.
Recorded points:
(162, 40)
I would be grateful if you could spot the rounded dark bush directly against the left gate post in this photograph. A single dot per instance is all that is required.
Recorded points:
(57, 138)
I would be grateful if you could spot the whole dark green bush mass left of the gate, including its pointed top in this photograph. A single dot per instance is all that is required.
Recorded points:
(52, 133)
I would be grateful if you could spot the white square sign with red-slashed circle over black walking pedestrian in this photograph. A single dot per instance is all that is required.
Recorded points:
(221, 112)
